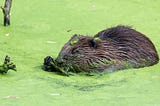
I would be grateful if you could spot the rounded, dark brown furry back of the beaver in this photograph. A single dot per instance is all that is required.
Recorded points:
(130, 46)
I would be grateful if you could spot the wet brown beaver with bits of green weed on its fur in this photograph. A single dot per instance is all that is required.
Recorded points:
(113, 49)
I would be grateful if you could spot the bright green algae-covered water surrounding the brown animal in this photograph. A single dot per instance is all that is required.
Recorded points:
(40, 28)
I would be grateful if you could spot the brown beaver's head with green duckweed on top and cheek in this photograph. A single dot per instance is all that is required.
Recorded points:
(82, 52)
